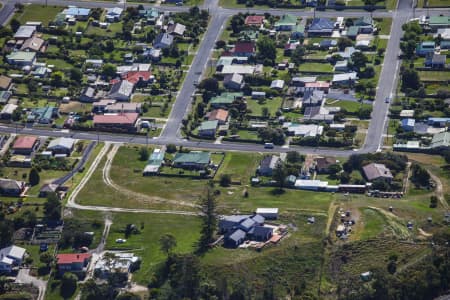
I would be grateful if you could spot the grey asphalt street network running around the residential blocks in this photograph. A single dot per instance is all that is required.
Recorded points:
(171, 133)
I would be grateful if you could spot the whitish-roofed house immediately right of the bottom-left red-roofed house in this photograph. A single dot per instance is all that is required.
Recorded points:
(118, 263)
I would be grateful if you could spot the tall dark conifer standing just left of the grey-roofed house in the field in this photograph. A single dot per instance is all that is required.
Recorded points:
(209, 219)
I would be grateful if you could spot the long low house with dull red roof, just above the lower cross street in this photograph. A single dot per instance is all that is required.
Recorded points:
(124, 122)
